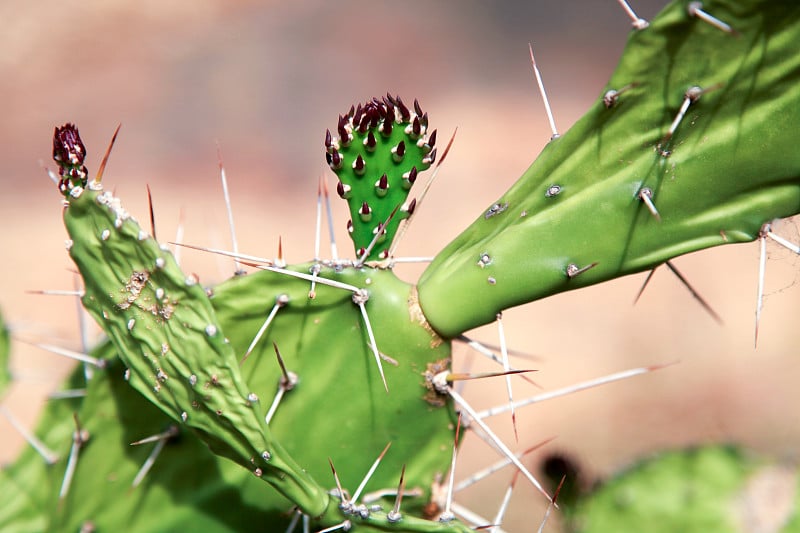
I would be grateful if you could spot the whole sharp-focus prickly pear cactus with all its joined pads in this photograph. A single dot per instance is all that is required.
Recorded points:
(296, 378)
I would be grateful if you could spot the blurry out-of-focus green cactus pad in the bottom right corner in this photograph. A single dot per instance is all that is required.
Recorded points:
(713, 488)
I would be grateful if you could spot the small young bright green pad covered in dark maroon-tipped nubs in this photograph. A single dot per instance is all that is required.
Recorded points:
(378, 151)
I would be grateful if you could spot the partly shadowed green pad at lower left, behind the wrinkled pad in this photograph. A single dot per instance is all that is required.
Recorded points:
(188, 489)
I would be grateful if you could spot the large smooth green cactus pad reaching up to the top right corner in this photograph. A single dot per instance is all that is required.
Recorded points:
(732, 166)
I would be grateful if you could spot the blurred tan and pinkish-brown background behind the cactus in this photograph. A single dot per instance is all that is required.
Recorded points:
(265, 79)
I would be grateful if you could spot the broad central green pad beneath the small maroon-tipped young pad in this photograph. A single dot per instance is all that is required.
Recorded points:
(325, 343)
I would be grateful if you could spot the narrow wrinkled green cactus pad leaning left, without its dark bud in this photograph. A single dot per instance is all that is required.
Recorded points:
(165, 330)
